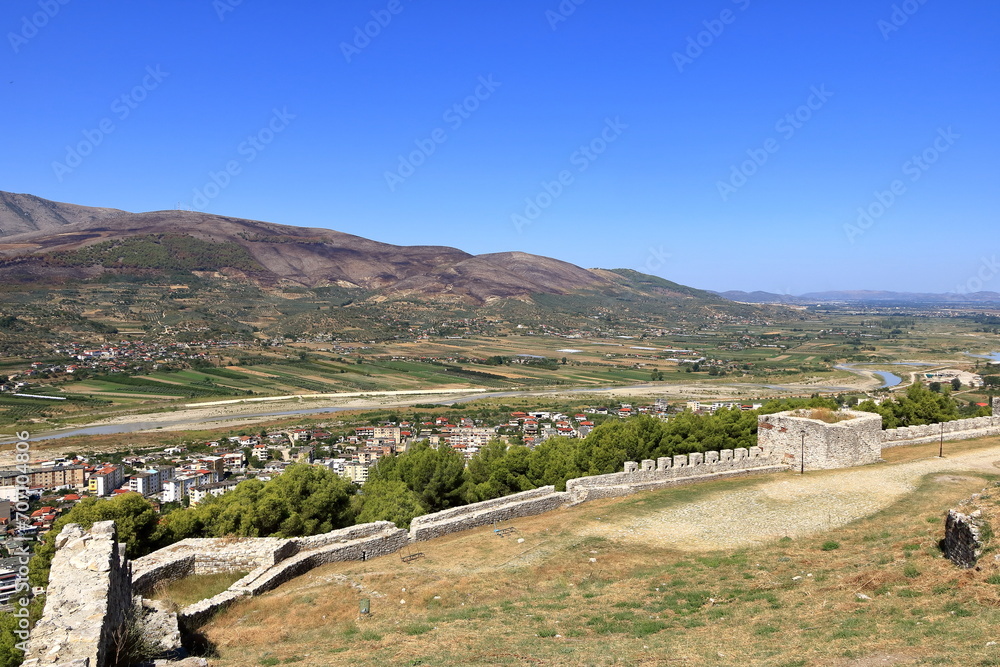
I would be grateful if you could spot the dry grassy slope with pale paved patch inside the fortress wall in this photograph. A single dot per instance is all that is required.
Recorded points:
(639, 581)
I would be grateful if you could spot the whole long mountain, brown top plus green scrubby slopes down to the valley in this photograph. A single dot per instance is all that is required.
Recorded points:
(240, 274)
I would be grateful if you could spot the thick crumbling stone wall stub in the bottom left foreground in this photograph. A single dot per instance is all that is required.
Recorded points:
(88, 599)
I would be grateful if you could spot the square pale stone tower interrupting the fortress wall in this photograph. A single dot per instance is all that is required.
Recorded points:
(853, 442)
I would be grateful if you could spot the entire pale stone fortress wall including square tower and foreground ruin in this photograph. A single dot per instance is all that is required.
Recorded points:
(92, 583)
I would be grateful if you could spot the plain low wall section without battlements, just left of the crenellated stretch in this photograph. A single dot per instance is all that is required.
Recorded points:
(519, 505)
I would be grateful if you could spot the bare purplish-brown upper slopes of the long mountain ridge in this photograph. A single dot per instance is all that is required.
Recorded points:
(43, 241)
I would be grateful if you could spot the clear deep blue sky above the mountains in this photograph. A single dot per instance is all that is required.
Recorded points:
(890, 90)
